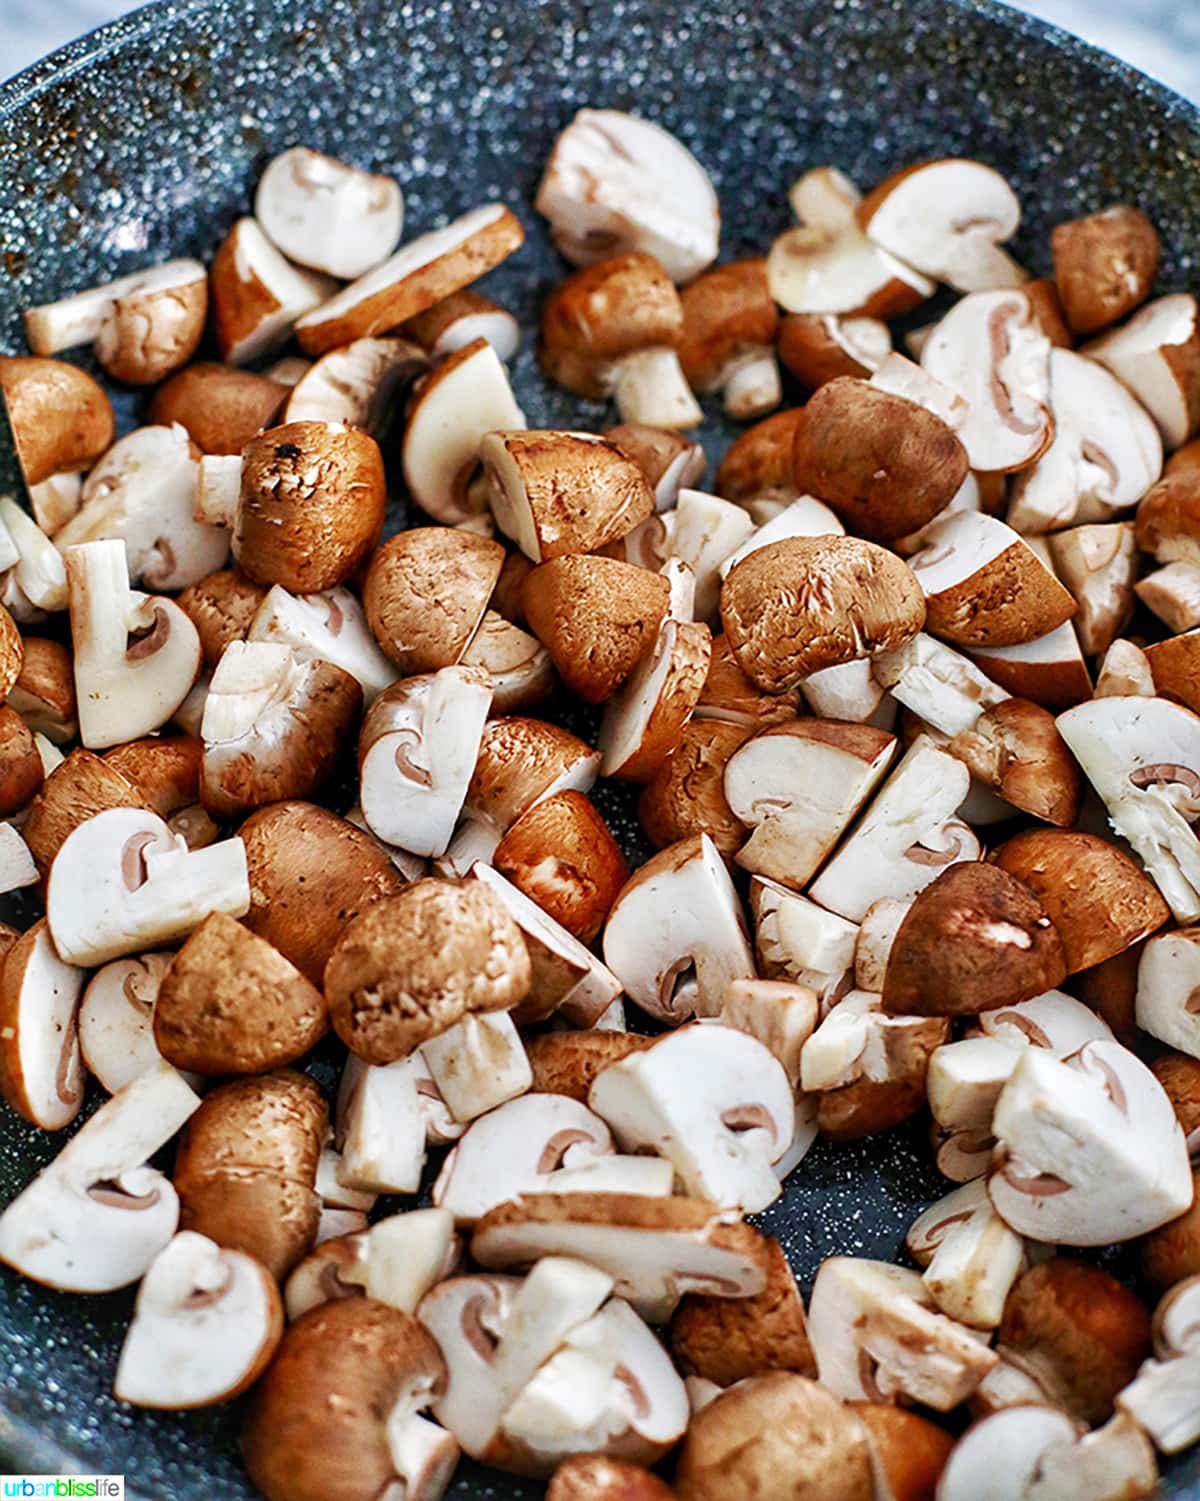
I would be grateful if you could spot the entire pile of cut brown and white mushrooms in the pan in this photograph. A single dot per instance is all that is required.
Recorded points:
(909, 709)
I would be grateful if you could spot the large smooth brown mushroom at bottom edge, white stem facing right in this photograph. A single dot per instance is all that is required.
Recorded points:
(337, 1416)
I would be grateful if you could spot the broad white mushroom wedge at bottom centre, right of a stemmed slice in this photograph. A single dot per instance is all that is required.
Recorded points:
(611, 1388)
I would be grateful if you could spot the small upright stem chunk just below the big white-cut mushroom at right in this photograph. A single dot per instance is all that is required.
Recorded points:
(971, 1257)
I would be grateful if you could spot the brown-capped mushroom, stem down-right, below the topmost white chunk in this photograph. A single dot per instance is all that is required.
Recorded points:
(614, 329)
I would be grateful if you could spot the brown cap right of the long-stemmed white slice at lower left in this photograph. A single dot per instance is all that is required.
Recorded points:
(247, 1166)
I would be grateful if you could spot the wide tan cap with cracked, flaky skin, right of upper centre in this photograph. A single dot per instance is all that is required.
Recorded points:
(806, 604)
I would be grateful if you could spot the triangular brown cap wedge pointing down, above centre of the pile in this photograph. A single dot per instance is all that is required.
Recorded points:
(597, 618)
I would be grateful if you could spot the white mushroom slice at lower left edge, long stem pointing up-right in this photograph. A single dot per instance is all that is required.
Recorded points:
(97, 1217)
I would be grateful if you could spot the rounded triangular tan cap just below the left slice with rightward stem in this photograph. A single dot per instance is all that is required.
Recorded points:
(234, 1005)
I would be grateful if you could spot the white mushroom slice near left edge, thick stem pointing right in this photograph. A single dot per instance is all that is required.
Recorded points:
(122, 883)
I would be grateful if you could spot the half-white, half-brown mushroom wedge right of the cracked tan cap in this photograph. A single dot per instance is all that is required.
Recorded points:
(984, 586)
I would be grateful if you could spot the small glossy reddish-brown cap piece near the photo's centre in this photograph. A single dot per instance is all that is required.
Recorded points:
(564, 858)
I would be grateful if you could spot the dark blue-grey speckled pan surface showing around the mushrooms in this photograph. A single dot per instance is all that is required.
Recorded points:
(145, 142)
